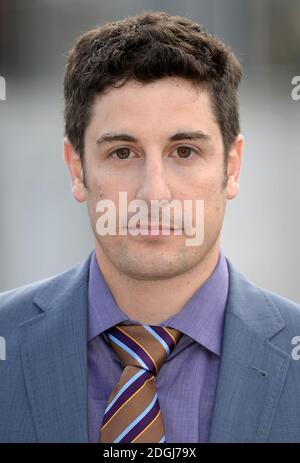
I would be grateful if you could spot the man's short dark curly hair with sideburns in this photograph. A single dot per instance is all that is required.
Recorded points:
(147, 47)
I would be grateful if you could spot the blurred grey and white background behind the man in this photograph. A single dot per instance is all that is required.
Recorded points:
(44, 231)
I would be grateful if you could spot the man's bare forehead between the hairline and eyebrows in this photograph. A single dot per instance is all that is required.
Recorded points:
(167, 104)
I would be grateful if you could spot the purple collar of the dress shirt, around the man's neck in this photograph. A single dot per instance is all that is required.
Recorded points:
(201, 318)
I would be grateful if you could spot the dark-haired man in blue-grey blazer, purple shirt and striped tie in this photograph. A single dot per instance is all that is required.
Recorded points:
(150, 339)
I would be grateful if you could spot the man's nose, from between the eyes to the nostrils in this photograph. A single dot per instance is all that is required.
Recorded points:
(153, 182)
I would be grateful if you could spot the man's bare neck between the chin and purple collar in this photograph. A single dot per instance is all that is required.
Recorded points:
(153, 301)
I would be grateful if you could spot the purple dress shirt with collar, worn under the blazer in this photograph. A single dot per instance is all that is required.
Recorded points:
(187, 381)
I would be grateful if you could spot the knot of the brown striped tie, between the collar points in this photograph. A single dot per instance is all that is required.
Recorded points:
(144, 346)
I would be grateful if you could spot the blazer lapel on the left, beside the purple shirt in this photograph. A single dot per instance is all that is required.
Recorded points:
(54, 356)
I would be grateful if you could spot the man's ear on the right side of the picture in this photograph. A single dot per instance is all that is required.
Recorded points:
(234, 166)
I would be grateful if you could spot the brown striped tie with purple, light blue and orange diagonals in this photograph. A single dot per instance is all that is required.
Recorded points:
(133, 412)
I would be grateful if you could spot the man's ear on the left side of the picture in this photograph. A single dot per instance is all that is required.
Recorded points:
(73, 162)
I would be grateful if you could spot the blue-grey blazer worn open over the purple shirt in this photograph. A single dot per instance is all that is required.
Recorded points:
(43, 393)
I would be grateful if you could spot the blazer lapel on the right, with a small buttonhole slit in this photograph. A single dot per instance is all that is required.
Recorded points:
(252, 369)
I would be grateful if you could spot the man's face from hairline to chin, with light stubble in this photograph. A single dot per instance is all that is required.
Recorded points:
(156, 167)
